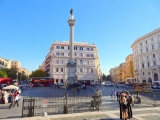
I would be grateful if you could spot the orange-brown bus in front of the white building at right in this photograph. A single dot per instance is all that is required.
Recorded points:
(143, 87)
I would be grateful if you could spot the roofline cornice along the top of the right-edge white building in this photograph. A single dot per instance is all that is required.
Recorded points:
(145, 36)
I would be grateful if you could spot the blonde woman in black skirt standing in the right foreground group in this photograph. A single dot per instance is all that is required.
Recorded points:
(124, 106)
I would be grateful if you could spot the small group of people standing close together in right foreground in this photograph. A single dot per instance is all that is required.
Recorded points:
(125, 101)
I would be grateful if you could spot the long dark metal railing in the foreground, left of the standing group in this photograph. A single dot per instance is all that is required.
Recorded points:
(34, 106)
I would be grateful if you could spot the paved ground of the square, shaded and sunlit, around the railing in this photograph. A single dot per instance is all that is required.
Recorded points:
(109, 109)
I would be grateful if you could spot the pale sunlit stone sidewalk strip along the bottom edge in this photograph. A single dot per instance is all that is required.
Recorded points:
(138, 114)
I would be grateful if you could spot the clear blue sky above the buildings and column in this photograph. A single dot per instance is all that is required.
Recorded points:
(29, 27)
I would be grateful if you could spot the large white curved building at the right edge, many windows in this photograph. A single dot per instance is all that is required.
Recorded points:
(146, 57)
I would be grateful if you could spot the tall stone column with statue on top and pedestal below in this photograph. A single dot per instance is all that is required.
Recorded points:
(71, 63)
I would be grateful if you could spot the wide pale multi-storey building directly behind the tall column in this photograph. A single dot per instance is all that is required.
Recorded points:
(86, 56)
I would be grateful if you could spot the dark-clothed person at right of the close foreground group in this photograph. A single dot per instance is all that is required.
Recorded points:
(129, 102)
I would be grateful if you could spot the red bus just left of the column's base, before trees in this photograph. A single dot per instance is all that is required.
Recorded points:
(42, 81)
